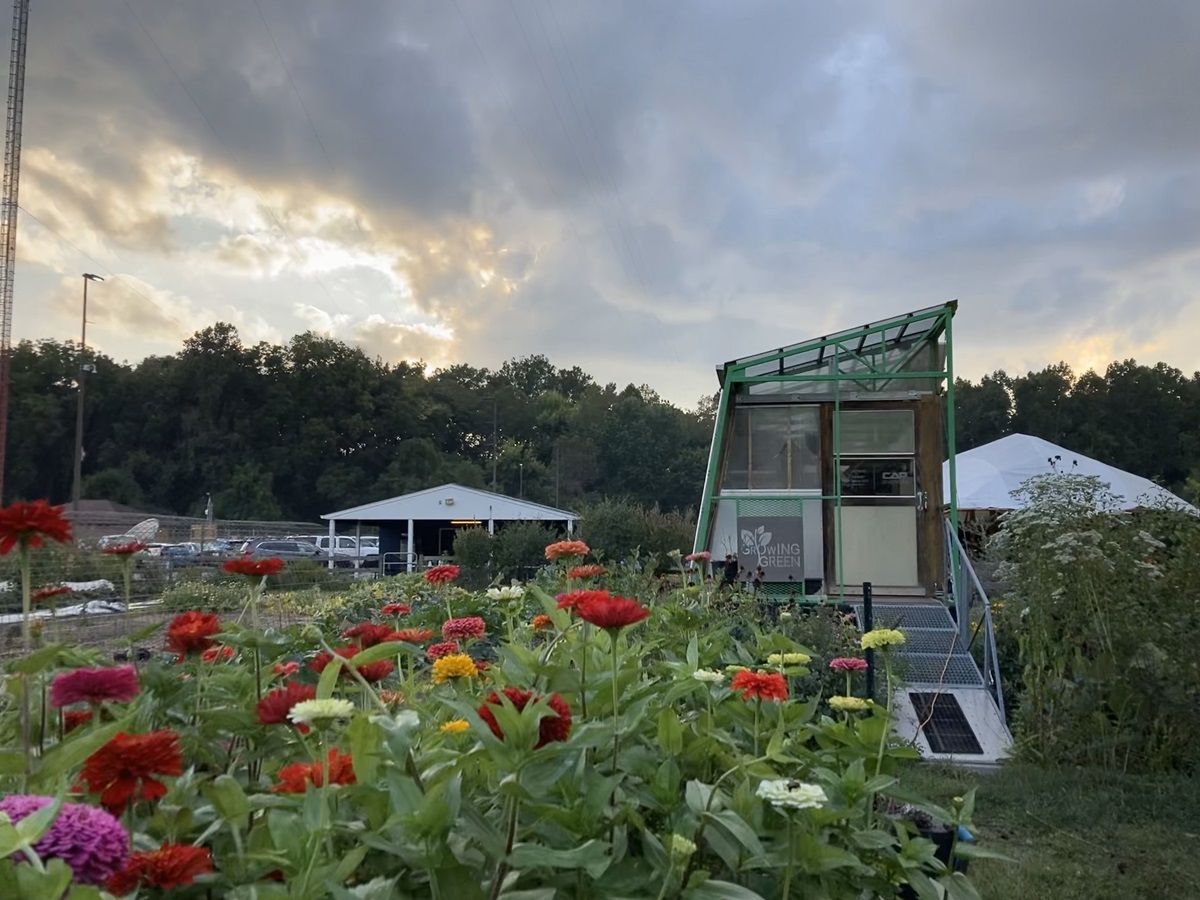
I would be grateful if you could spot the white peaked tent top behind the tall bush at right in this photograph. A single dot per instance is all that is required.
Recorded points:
(988, 476)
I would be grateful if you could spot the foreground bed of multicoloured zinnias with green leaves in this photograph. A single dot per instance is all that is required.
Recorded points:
(565, 739)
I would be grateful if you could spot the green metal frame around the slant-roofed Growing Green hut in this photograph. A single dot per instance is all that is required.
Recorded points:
(872, 350)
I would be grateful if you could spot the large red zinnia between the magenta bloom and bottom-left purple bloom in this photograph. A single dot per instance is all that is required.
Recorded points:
(123, 770)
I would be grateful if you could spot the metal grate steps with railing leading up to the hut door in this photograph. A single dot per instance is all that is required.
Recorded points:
(947, 705)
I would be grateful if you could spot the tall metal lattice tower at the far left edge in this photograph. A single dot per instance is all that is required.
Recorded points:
(9, 211)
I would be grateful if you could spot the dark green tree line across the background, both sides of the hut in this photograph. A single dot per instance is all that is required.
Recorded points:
(293, 431)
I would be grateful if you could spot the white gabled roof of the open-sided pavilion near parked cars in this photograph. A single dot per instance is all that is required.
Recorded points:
(452, 503)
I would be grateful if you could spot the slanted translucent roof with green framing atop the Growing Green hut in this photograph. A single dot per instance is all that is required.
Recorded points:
(867, 344)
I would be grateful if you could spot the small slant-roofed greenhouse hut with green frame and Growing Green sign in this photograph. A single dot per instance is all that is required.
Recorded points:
(826, 465)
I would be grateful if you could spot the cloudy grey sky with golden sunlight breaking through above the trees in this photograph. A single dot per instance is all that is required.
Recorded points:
(643, 189)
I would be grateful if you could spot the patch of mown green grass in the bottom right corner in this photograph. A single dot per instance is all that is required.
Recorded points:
(1078, 835)
